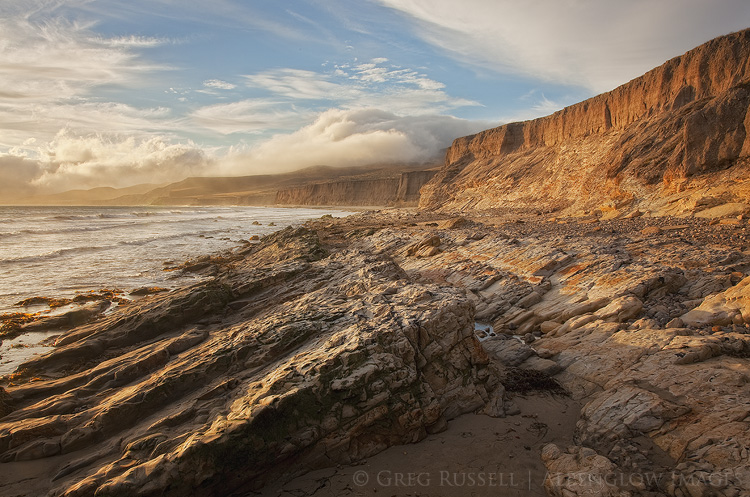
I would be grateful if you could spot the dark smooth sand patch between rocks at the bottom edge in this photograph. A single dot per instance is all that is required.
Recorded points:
(476, 456)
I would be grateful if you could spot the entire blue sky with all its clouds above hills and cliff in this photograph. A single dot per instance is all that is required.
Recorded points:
(117, 93)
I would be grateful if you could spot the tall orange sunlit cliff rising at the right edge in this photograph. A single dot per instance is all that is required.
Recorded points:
(678, 129)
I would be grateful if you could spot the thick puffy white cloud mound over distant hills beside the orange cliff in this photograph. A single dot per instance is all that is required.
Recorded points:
(353, 137)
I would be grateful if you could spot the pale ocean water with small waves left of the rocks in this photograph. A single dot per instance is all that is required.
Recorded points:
(59, 251)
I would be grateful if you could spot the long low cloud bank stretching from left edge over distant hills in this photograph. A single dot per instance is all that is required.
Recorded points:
(338, 137)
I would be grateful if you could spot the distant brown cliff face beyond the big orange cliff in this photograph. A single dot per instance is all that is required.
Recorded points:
(401, 190)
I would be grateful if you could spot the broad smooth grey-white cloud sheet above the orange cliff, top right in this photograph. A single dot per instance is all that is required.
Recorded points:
(598, 44)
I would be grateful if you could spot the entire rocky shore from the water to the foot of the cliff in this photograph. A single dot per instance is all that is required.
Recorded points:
(322, 346)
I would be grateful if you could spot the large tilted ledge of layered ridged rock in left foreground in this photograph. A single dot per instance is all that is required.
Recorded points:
(289, 360)
